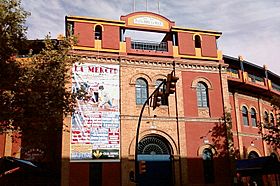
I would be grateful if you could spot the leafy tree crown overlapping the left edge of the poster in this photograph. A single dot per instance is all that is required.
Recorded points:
(43, 93)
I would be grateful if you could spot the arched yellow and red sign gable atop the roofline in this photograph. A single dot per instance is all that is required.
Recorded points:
(147, 21)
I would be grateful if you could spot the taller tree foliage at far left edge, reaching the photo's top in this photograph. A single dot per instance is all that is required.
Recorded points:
(12, 37)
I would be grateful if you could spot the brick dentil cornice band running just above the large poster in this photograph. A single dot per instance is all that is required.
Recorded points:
(152, 62)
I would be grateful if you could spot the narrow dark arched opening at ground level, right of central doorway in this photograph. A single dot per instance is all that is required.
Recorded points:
(208, 166)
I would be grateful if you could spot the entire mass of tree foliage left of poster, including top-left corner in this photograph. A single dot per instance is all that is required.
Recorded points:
(35, 93)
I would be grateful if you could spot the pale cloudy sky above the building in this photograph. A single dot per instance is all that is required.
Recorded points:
(250, 27)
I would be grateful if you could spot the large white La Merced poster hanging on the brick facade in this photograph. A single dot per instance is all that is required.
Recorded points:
(95, 131)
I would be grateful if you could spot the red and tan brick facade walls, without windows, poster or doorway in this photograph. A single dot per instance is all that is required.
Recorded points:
(187, 128)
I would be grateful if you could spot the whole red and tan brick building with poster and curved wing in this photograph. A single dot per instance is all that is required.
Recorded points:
(185, 141)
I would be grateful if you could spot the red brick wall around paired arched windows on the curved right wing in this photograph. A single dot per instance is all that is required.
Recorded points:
(247, 138)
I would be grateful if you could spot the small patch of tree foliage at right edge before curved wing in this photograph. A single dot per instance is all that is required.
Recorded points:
(272, 131)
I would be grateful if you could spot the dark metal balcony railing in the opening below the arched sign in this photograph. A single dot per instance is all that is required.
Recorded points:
(149, 45)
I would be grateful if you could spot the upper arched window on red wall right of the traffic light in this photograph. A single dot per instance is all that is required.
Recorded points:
(202, 95)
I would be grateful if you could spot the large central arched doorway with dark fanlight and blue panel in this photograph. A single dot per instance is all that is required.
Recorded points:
(156, 152)
